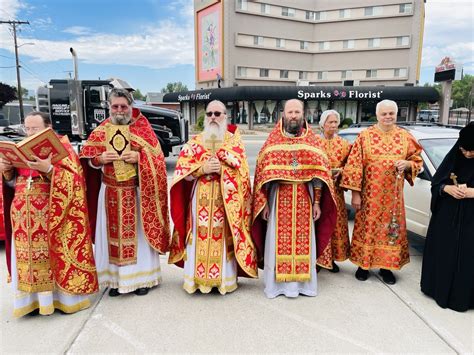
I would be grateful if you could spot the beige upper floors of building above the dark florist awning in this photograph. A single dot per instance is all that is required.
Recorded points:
(316, 42)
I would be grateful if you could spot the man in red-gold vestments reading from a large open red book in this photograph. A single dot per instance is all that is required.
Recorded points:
(51, 260)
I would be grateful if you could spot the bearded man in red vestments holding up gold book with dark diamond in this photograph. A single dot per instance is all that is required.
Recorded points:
(126, 170)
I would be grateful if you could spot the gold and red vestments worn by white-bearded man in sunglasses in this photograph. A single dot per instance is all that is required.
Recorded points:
(223, 206)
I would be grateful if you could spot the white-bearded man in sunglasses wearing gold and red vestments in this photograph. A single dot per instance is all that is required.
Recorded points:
(210, 207)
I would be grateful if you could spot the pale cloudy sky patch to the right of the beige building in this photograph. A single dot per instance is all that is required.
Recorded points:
(449, 28)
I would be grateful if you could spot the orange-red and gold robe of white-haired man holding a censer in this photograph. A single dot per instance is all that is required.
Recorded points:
(370, 169)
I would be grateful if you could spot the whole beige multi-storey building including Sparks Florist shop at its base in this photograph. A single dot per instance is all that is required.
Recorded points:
(326, 46)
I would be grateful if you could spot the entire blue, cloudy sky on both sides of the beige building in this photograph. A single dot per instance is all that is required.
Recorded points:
(151, 42)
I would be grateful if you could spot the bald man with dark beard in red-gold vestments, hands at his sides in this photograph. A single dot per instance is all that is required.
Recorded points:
(294, 211)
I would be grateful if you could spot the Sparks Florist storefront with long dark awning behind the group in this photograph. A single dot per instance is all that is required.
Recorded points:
(264, 104)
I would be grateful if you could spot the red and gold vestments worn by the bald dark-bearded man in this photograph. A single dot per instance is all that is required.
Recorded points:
(292, 162)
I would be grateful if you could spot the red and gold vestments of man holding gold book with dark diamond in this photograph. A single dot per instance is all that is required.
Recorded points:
(120, 192)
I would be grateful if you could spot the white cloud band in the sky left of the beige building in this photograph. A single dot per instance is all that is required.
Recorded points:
(167, 44)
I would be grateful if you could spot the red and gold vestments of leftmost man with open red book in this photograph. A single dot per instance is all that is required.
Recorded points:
(53, 214)
